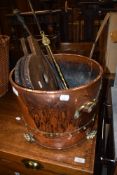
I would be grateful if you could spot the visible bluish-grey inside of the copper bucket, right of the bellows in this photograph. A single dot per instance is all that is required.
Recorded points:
(78, 72)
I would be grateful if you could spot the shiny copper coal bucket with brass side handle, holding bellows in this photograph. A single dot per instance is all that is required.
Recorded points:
(60, 119)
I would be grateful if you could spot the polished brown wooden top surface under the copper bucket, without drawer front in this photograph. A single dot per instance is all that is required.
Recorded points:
(79, 158)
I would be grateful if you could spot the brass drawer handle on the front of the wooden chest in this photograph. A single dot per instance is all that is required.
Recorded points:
(32, 164)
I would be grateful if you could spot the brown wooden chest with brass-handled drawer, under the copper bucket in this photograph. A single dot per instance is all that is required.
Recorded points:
(17, 156)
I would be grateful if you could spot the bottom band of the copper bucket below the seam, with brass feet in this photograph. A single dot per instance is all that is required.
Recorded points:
(60, 140)
